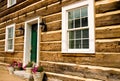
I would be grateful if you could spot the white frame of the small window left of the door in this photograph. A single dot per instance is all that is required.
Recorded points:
(6, 39)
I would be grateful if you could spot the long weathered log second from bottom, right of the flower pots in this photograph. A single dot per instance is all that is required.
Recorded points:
(85, 71)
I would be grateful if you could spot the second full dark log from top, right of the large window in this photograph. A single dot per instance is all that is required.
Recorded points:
(108, 20)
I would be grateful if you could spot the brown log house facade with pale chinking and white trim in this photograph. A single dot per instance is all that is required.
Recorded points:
(102, 64)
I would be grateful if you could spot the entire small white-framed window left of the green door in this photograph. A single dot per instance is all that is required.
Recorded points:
(9, 43)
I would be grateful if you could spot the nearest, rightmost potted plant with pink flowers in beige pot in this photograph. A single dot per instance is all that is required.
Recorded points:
(38, 73)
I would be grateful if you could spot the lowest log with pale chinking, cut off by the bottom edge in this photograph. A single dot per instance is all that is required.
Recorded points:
(63, 77)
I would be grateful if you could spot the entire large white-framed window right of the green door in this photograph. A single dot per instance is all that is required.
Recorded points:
(78, 27)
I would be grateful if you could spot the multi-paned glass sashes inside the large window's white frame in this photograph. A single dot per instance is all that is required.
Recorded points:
(78, 29)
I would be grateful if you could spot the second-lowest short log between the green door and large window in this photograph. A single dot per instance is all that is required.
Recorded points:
(51, 37)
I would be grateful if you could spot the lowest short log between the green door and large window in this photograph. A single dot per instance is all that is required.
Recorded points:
(50, 46)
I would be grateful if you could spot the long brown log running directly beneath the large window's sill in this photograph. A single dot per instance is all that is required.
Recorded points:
(98, 60)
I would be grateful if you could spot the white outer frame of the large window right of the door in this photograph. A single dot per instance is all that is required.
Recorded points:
(91, 25)
